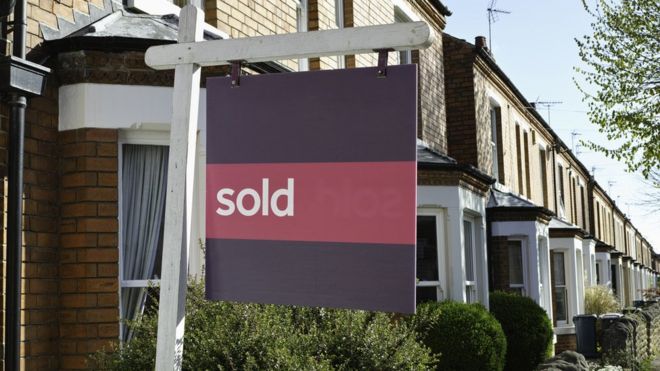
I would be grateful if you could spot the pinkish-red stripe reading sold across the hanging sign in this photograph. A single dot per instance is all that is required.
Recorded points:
(358, 202)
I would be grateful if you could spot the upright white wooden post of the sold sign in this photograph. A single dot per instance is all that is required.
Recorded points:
(183, 138)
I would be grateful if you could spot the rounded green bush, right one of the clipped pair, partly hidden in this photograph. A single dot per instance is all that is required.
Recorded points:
(527, 328)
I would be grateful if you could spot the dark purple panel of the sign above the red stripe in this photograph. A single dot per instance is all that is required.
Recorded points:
(331, 116)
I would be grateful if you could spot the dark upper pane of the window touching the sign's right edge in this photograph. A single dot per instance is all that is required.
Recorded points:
(427, 248)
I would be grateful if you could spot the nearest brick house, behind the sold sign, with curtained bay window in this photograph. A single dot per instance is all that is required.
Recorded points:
(97, 139)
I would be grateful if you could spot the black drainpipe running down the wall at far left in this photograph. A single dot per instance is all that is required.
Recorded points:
(17, 103)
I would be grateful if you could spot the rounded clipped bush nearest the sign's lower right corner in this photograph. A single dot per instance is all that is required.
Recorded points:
(465, 336)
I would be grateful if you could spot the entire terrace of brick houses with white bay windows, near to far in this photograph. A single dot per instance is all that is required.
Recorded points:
(502, 203)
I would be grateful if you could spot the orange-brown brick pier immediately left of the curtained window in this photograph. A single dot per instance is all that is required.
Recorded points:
(89, 255)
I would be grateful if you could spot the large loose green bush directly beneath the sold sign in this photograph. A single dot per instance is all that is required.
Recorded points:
(233, 336)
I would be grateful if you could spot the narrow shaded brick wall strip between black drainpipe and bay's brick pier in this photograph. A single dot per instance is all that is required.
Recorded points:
(39, 298)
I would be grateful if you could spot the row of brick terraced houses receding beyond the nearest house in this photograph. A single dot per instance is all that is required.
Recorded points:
(551, 229)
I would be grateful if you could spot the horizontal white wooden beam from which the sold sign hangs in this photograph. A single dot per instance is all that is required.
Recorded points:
(358, 40)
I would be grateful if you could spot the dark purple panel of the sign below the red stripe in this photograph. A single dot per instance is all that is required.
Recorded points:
(341, 275)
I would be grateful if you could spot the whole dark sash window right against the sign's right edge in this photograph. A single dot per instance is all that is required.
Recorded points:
(428, 283)
